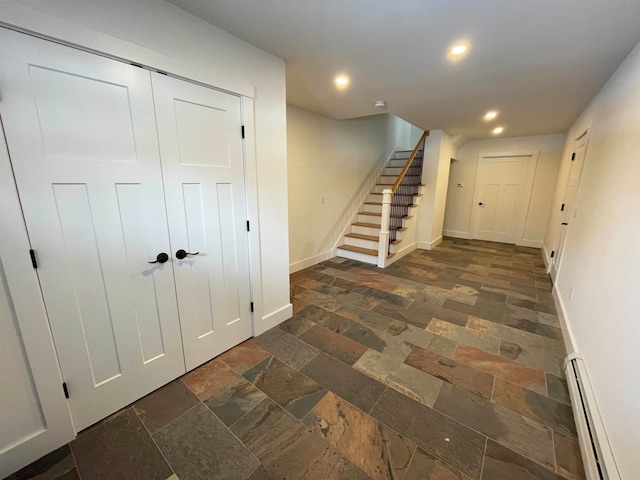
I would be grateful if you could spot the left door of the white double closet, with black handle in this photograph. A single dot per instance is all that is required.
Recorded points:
(83, 144)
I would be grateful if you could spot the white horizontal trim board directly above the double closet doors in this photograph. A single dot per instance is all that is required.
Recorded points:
(34, 22)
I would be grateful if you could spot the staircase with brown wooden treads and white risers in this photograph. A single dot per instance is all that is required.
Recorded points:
(362, 243)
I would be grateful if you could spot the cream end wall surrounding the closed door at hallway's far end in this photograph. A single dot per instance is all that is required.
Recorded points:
(457, 221)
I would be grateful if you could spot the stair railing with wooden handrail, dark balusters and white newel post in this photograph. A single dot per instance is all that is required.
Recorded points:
(396, 200)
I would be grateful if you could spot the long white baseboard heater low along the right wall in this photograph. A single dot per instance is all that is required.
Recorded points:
(599, 463)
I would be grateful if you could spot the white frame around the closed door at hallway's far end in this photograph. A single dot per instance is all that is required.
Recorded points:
(531, 169)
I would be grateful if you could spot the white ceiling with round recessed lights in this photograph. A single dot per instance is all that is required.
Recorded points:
(537, 62)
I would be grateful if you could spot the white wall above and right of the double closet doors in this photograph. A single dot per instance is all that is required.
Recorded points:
(158, 34)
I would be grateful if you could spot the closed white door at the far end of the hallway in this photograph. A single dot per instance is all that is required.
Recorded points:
(501, 198)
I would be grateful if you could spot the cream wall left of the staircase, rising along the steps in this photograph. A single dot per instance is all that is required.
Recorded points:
(337, 161)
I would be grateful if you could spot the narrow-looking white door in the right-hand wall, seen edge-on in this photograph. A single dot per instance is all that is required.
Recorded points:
(568, 203)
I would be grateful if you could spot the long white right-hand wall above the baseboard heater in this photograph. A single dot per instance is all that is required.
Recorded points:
(601, 261)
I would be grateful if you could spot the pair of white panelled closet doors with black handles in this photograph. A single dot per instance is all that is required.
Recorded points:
(114, 165)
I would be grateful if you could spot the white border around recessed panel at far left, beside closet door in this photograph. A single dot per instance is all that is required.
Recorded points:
(33, 327)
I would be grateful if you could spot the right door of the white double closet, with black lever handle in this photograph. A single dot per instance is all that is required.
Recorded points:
(203, 168)
